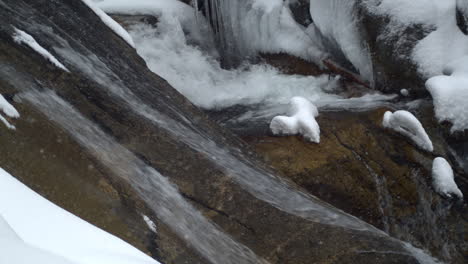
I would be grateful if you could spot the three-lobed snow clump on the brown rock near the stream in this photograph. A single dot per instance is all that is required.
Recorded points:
(302, 121)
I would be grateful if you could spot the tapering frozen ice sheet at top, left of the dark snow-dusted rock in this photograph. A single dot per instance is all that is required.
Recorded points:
(337, 21)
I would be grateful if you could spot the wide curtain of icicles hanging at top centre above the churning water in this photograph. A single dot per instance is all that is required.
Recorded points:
(244, 28)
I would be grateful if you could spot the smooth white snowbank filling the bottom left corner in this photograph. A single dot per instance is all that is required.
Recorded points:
(46, 231)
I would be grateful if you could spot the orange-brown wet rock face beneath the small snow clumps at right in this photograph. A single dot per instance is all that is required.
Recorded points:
(377, 175)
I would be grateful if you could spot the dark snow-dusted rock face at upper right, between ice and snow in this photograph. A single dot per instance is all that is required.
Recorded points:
(391, 46)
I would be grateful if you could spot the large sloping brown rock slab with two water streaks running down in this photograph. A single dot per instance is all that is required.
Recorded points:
(109, 141)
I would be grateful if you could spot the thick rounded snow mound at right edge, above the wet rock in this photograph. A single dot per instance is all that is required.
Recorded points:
(450, 94)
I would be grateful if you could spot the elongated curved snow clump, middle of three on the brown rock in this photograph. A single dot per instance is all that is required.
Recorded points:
(408, 125)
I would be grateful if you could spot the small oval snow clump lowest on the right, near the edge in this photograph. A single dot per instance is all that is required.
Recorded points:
(443, 179)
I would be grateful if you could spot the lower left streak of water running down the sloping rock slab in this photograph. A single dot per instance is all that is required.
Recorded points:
(156, 190)
